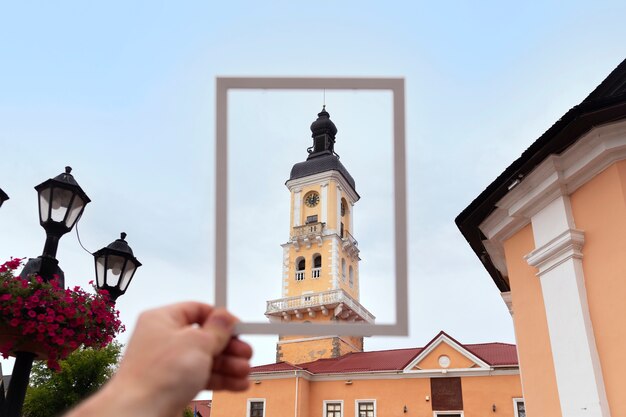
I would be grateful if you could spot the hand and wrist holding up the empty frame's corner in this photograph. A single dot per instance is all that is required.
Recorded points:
(174, 352)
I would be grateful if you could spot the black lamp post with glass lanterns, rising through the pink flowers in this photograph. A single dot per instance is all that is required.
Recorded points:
(61, 203)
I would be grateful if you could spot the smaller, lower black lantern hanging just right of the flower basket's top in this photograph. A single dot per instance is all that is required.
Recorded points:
(115, 267)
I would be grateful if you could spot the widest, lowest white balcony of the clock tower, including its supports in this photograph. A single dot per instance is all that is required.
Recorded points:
(336, 302)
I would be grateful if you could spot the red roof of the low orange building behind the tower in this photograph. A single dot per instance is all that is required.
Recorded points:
(494, 354)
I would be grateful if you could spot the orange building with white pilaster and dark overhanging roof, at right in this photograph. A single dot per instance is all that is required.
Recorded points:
(551, 230)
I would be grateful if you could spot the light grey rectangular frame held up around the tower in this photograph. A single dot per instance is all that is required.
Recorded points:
(393, 85)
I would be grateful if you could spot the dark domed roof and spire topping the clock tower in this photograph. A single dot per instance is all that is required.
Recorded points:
(322, 156)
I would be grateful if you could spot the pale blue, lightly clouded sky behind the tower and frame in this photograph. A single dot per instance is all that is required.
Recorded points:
(124, 93)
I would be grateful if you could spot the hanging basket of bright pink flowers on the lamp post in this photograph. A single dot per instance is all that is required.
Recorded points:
(49, 321)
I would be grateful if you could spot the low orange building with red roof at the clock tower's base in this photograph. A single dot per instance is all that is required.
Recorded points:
(443, 379)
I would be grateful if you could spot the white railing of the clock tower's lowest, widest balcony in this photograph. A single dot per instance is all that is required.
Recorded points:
(327, 299)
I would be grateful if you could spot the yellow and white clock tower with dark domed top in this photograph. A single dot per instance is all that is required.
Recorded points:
(320, 281)
